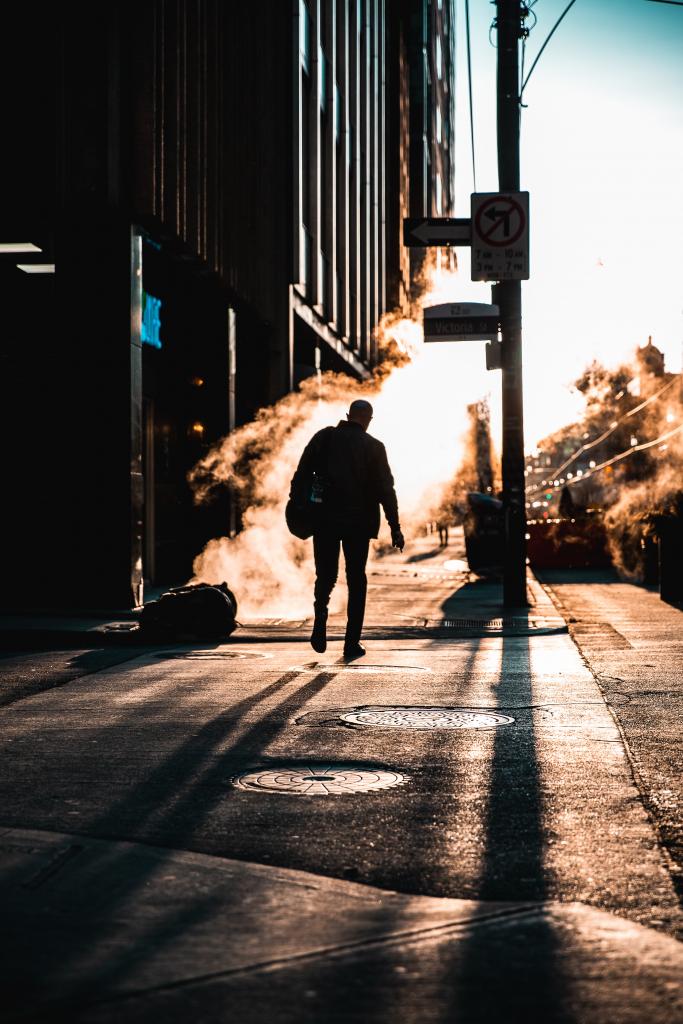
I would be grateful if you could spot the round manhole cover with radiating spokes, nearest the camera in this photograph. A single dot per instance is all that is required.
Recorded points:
(319, 781)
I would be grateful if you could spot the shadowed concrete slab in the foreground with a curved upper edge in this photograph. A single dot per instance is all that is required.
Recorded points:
(199, 938)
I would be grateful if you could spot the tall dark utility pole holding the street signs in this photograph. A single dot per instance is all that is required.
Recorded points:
(508, 297)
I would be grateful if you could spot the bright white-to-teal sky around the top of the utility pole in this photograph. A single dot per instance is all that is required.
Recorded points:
(603, 159)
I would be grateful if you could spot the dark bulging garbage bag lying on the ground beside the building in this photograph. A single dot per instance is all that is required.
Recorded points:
(201, 611)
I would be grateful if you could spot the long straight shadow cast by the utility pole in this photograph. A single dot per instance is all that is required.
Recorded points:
(496, 979)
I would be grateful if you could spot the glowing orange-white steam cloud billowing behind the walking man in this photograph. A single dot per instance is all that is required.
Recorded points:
(420, 400)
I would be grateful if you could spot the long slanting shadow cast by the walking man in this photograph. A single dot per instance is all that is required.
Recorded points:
(180, 795)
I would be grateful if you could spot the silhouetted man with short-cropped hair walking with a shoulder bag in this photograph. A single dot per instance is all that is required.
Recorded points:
(357, 479)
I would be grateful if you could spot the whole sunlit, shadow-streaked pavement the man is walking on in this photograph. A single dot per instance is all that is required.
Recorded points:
(519, 874)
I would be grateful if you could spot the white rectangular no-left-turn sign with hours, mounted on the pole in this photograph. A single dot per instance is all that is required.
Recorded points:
(500, 237)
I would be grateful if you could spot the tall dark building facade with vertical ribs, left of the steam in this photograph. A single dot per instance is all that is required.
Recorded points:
(215, 192)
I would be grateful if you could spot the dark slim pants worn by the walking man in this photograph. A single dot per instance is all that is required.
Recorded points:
(326, 551)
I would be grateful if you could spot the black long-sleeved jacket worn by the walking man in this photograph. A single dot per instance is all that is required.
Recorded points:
(356, 470)
